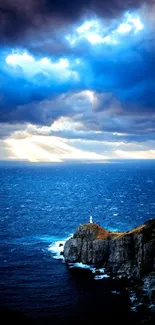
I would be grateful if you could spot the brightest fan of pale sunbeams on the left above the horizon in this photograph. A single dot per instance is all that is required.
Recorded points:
(48, 149)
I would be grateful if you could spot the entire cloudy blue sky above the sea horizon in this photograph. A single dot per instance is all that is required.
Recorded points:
(77, 80)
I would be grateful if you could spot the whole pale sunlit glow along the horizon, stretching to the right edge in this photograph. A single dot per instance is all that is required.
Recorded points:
(52, 149)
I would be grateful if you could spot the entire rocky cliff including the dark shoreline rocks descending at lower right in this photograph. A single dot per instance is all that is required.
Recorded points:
(128, 255)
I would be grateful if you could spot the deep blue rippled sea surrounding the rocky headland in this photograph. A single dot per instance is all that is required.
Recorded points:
(41, 206)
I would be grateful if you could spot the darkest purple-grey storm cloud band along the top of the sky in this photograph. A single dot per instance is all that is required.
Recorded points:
(20, 17)
